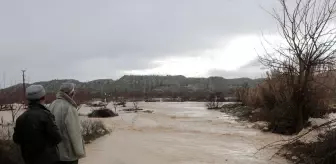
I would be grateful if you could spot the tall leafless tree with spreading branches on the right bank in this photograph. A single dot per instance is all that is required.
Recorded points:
(309, 49)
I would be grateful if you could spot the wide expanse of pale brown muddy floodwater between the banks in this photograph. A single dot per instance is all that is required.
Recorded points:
(179, 133)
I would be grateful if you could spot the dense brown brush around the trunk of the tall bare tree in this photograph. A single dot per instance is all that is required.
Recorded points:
(280, 101)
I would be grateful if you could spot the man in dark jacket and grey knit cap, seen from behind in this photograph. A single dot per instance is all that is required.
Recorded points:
(35, 130)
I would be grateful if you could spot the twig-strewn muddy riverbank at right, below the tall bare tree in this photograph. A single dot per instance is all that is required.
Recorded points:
(314, 144)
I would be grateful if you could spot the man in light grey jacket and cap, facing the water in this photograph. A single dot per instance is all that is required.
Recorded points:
(65, 110)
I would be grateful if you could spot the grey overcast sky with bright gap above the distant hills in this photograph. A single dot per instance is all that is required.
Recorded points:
(86, 39)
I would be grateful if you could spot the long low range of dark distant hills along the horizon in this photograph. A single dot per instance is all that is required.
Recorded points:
(133, 83)
